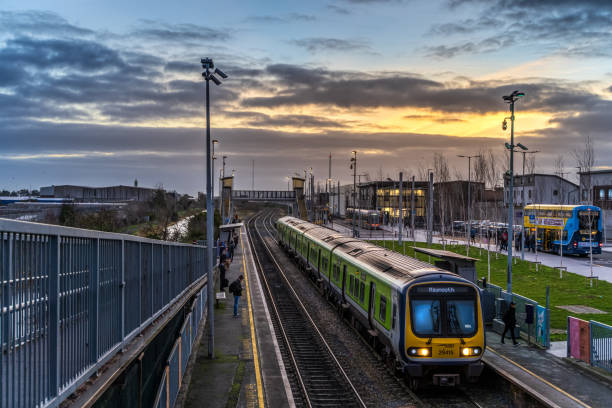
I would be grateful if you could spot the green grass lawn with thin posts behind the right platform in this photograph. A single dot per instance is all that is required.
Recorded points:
(571, 290)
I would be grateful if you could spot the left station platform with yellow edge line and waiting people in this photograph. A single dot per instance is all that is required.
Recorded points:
(247, 370)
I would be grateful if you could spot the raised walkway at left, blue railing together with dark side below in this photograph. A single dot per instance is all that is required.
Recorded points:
(91, 316)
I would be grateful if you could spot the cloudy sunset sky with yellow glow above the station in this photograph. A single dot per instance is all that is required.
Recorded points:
(105, 92)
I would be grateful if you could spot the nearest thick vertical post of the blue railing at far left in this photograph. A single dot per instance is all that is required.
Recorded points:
(54, 314)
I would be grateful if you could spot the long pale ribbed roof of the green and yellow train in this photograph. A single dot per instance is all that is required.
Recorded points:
(391, 265)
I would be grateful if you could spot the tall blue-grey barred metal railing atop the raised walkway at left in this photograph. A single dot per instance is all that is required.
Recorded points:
(70, 299)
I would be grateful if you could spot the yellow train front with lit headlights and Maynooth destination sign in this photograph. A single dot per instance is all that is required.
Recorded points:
(444, 336)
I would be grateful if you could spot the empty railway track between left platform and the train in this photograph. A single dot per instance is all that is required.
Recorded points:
(316, 376)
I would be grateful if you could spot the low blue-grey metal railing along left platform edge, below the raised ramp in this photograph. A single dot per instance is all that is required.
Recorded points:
(176, 364)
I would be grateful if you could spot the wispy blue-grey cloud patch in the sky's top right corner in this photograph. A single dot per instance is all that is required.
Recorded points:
(580, 29)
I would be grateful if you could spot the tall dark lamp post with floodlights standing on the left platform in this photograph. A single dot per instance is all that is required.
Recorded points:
(208, 65)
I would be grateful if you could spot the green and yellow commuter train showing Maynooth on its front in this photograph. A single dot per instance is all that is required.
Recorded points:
(426, 322)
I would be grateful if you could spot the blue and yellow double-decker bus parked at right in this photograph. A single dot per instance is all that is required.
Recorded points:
(564, 225)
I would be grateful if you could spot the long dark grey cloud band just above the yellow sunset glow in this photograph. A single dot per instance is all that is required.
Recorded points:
(300, 86)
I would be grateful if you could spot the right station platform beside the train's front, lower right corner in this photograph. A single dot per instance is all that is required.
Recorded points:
(553, 381)
